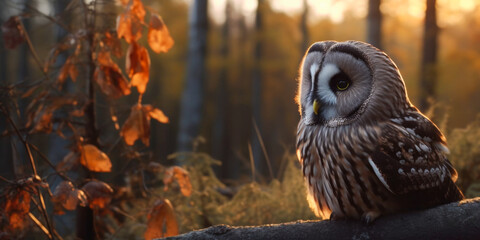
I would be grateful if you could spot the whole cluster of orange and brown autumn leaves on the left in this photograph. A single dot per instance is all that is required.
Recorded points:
(52, 110)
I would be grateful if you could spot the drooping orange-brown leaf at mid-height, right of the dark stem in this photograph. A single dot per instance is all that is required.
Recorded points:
(137, 126)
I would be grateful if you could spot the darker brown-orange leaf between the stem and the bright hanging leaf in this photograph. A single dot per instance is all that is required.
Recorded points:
(110, 77)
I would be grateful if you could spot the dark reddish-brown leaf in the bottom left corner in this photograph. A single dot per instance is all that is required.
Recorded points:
(16, 209)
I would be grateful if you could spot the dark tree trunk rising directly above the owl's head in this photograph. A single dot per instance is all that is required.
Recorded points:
(374, 23)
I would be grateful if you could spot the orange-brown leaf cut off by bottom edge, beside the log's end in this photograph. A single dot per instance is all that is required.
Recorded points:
(161, 221)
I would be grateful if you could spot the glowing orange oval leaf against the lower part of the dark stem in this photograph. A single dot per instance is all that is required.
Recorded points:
(94, 159)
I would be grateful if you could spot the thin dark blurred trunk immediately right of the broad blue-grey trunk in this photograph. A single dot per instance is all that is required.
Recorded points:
(220, 143)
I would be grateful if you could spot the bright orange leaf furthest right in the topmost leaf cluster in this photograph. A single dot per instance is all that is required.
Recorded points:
(159, 38)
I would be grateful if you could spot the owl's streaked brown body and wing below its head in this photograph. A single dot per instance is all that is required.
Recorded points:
(339, 165)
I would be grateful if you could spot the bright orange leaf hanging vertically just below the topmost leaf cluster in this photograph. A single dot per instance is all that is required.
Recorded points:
(138, 66)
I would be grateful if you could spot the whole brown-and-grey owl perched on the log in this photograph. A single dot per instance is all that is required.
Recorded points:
(365, 150)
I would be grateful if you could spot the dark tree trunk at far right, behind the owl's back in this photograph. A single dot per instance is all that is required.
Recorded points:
(428, 76)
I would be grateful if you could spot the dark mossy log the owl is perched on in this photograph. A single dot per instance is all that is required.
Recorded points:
(459, 220)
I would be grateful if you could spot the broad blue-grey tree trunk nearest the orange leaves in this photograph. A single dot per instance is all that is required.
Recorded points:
(191, 108)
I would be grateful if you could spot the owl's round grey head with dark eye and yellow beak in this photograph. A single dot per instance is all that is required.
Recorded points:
(349, 82)
